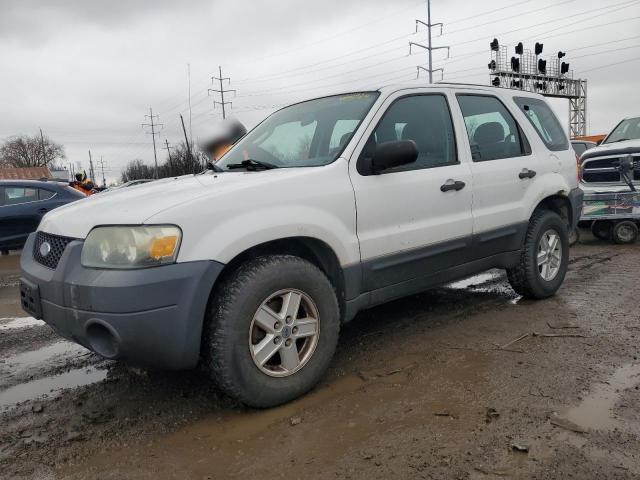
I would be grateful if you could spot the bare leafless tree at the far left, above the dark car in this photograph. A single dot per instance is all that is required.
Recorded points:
(30, 151)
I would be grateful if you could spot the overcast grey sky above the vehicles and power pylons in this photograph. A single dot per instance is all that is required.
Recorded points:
(86, 72)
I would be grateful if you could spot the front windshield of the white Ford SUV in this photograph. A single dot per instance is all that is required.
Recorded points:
(306, 134)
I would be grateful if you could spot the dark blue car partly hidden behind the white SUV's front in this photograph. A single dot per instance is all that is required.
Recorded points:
(22, 205)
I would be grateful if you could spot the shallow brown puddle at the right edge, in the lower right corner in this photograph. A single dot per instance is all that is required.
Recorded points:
(596, 410)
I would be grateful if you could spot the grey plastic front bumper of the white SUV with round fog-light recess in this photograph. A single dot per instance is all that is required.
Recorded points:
(149, 317)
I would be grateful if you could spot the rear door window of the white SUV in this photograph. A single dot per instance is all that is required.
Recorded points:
(492, 130)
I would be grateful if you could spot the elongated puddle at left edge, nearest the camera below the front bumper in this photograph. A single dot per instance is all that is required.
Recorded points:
(51, 386)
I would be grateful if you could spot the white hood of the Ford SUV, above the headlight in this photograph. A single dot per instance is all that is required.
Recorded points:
(134, 205)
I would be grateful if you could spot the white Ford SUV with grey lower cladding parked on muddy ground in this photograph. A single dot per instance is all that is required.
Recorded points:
(326, 208)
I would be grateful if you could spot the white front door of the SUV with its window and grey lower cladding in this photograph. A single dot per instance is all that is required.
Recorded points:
(410, 222)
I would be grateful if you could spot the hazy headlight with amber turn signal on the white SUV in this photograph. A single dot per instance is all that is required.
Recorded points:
(131, 247)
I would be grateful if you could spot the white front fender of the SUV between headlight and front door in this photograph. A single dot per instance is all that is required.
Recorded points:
(316, 202)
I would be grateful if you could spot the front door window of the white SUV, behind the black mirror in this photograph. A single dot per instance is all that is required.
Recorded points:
(426, 120)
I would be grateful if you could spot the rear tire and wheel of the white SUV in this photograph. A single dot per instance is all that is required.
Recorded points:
(527, 278)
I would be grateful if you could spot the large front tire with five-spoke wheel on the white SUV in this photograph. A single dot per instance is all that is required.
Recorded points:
(229, 343)
